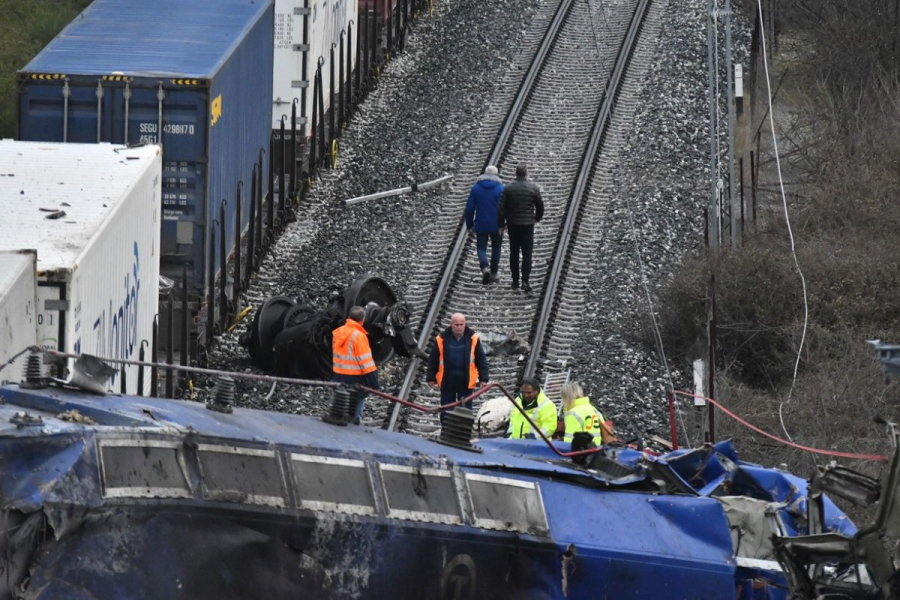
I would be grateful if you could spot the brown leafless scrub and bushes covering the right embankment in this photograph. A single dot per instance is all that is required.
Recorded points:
(838, 122)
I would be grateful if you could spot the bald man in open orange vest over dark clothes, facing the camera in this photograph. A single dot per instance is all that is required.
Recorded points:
(457, 363)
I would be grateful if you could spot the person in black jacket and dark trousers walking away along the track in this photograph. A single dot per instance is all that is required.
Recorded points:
(521, 206)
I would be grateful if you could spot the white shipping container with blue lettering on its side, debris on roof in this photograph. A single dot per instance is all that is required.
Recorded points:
(92, 212)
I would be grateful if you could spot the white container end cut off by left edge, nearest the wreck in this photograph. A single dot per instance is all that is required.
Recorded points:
(18, 318)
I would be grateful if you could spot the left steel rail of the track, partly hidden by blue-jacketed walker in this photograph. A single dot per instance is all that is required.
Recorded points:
(452, 263)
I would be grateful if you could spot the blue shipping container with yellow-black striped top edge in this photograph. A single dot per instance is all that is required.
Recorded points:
(199, 71)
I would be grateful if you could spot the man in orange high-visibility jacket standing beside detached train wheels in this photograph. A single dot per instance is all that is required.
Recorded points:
(352, 361)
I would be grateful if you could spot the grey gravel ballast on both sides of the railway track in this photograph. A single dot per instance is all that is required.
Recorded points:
(418, 124)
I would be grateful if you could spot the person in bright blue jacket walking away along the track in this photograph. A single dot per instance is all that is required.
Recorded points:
(481, 215)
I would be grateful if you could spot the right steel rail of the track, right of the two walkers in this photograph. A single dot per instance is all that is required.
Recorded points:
(555, 275)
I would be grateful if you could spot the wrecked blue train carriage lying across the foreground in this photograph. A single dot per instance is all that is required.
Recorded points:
(130, 497)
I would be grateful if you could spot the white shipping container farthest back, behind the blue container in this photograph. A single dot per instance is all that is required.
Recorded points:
(327, 21)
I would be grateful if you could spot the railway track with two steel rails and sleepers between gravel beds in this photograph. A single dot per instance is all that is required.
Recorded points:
(567, 123)
